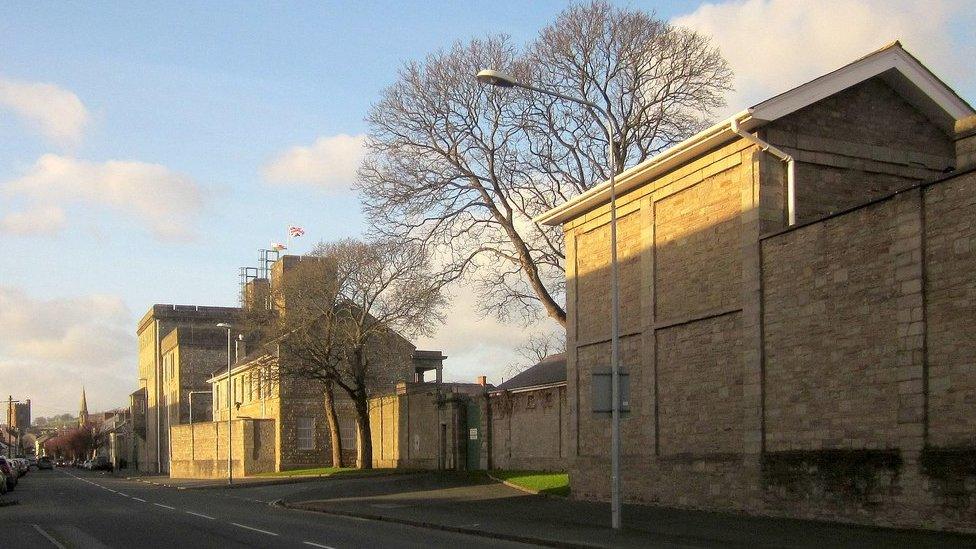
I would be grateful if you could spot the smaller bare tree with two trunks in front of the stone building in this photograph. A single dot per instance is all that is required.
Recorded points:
(344, 314)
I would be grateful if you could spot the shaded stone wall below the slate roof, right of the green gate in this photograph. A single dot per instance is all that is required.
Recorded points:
(528, 430)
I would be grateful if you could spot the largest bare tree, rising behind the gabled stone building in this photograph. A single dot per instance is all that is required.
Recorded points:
(461, 168)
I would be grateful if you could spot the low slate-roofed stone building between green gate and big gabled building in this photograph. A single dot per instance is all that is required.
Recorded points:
(528, 419)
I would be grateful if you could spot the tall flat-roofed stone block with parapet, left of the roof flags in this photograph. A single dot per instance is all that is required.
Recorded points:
(163, 395)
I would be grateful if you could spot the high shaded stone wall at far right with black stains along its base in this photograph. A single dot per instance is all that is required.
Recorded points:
(868, 358)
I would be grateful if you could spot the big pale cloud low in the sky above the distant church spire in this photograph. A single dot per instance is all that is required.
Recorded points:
(50, 348)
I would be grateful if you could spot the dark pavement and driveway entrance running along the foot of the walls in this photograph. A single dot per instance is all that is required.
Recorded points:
(456, 503)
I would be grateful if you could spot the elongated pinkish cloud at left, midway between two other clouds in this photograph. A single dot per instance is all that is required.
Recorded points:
(168, 203)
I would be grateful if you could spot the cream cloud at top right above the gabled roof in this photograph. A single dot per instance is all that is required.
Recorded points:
(774, 45)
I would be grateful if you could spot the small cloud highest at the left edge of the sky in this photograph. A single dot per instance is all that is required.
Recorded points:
(56, 113)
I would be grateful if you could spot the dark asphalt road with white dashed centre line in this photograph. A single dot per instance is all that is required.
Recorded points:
(71, 508)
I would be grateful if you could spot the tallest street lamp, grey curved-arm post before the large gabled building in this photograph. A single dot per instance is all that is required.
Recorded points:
(503, 80)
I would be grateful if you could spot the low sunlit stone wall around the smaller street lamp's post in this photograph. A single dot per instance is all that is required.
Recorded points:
(200, 449)
